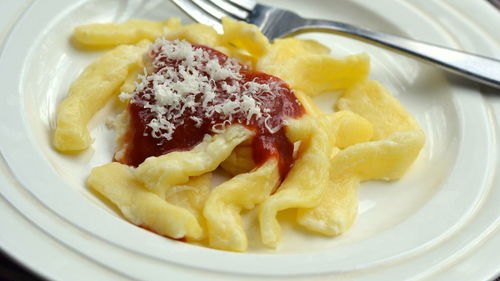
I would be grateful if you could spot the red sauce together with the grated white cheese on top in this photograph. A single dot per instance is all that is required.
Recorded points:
(188, 91)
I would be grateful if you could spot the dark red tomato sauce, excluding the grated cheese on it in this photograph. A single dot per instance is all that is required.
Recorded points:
(281, 103)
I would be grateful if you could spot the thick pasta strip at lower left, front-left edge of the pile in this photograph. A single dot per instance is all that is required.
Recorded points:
(117, 183)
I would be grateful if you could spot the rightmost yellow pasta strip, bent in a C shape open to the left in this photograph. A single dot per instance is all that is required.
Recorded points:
(397, 137)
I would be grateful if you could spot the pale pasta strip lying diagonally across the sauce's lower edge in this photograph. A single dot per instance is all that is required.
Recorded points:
(160, 173)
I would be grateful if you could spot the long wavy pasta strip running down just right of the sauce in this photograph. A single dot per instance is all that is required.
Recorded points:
(306, 181)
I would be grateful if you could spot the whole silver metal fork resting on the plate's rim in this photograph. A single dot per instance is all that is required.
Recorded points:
(275, 23)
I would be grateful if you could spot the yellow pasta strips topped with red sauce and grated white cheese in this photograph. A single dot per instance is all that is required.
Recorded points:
(196, 103)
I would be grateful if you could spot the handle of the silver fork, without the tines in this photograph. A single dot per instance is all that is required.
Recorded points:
(478, 68)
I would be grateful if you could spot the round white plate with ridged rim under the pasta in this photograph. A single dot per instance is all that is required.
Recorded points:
(438, 222)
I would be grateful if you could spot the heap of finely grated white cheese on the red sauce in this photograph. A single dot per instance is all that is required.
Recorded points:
(183, 78)
